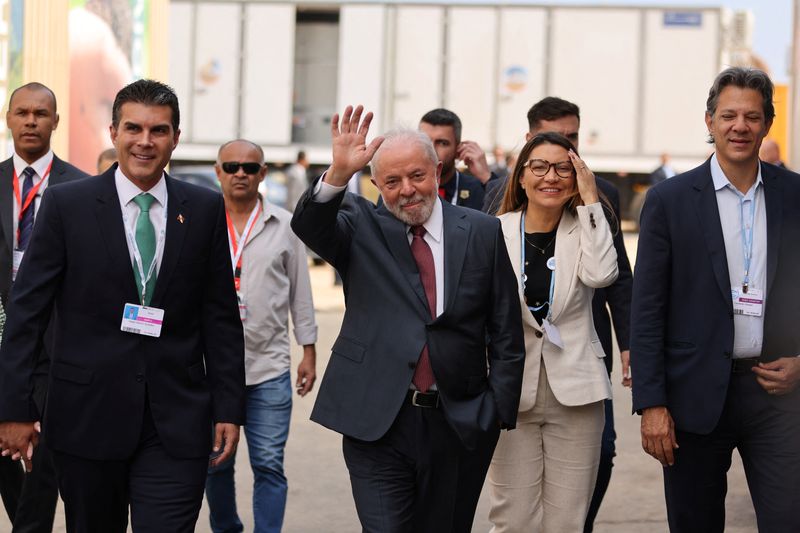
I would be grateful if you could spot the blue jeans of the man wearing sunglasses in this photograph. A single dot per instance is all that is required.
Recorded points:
(269, 408)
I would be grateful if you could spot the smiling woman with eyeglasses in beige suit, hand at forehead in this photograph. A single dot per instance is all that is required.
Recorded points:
(560, 244)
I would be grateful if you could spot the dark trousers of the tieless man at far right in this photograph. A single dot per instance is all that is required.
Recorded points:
(768, 440)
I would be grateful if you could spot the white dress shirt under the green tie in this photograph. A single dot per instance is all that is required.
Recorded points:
(126, 191)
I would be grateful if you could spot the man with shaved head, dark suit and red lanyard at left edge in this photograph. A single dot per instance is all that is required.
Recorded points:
(32, 118)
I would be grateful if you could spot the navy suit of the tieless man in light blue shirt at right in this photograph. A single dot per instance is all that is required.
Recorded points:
(682, 342)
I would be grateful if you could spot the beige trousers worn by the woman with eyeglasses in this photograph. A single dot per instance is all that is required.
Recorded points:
(543, 472)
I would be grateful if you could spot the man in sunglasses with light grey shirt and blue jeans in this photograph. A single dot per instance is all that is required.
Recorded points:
(270, 273)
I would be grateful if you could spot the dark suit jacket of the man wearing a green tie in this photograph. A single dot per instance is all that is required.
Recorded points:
(78, 260)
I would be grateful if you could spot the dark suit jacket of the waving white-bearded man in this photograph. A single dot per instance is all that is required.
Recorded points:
(387, 321)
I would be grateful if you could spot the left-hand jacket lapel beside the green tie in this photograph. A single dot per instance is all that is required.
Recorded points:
(112, 230)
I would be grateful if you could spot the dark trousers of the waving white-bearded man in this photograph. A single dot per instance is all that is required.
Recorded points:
(418, 477)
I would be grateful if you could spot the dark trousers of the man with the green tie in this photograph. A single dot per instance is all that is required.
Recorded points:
(164, 493)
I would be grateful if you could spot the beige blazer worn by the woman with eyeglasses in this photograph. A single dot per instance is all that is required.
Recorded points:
(585, 260)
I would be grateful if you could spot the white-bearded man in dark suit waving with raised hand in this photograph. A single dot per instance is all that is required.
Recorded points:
(413, 385)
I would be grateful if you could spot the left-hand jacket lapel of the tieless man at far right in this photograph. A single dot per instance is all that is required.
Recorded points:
(708, 213)
